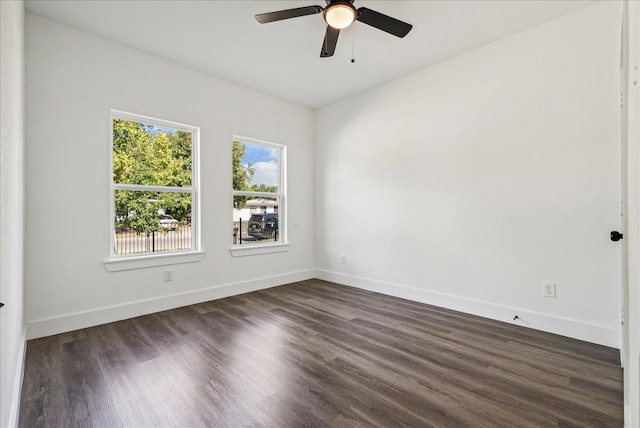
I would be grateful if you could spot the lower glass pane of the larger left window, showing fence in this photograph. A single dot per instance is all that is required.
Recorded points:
(151, 222)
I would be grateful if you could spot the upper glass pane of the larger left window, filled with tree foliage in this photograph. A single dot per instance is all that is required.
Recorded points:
(151, 155)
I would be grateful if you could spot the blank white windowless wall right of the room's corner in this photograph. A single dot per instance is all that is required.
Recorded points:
(510, 154)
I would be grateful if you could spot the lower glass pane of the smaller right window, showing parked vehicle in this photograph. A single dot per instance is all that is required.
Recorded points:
(256, 222)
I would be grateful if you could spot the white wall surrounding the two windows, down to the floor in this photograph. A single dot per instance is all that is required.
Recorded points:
(74, 79)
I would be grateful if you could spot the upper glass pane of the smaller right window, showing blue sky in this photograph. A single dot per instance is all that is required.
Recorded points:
(255, 167)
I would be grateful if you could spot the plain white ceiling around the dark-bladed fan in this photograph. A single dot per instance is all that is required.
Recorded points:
(282, 58)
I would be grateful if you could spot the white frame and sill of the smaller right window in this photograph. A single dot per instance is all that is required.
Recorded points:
(283, 244)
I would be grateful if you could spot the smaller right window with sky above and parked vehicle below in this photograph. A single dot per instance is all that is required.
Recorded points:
(258, 192)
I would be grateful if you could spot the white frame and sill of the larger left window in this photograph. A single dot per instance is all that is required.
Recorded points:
(123, 262)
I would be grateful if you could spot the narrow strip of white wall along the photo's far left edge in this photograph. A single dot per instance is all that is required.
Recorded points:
(12, 140)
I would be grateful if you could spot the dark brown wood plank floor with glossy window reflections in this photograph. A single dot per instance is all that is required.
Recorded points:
(312, 354)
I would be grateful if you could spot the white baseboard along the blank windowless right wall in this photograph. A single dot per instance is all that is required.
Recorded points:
(599, 334)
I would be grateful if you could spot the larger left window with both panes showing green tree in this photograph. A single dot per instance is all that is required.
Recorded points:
(154, 186)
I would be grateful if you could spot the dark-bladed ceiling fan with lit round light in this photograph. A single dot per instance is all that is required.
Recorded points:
(339, 14)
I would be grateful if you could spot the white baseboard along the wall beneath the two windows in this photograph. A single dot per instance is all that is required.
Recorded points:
(78, 320)
